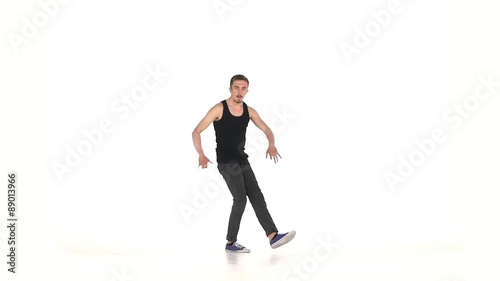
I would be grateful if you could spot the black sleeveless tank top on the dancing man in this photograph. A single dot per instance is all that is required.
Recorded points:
(230, 134)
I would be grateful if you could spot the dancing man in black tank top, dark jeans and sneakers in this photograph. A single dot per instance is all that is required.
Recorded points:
(230, 118)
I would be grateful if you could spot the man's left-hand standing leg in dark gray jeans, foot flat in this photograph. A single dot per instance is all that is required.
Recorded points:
(234, 178)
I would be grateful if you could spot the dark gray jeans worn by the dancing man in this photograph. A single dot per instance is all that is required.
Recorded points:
(241, 182)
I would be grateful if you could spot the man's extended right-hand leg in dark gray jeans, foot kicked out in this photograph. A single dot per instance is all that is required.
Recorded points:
(258, 202)
